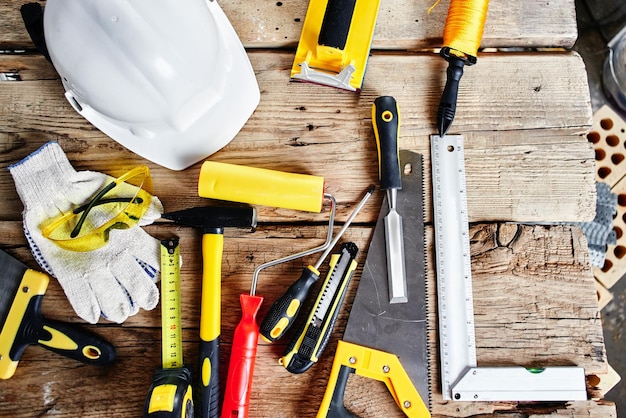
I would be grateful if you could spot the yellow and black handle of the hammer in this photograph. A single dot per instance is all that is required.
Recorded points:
(210, 324)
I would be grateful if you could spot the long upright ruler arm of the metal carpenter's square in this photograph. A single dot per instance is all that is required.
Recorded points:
(453, 260)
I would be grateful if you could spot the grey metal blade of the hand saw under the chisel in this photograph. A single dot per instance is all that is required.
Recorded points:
(399, 328)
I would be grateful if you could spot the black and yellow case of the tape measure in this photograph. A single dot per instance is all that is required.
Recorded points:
(170, 395)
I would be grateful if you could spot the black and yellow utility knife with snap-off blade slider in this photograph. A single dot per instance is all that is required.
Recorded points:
(307, 345)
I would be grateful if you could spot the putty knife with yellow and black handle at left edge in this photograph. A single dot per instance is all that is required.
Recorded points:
(22, 324)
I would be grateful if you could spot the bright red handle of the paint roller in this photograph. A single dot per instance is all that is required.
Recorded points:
(242, 360)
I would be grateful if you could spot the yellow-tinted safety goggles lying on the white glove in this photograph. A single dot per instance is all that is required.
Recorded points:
(119, 205)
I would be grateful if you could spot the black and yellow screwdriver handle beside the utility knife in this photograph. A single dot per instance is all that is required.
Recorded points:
(284, 311)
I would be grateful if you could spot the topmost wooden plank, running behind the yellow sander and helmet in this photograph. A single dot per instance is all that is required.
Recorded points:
(401, 24)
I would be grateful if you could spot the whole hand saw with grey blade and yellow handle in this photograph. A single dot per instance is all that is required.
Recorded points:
(383, 340)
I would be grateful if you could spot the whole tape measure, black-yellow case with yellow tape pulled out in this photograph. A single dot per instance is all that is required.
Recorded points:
(170, 394)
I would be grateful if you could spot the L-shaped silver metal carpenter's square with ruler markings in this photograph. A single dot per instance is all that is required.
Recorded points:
(461, 379)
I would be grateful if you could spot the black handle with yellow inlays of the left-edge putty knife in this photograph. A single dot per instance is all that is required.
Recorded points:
(60, 337)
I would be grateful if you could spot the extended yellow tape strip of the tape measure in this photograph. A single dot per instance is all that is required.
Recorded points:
(172, 335)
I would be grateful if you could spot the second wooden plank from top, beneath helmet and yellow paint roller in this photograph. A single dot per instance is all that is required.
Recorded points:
(524, 133)
